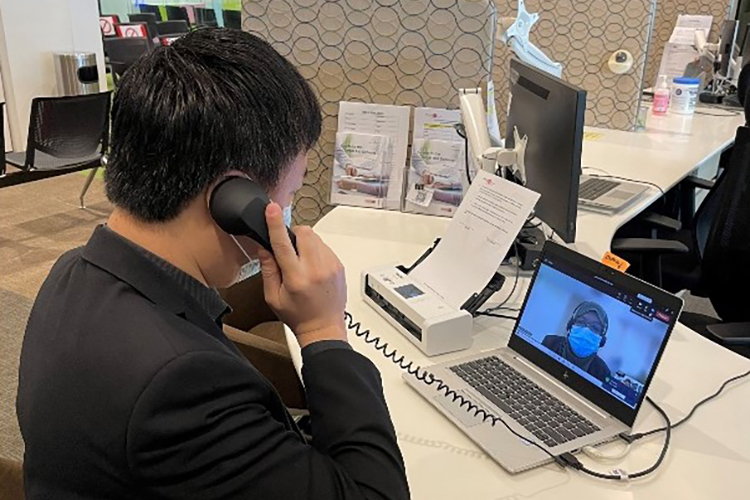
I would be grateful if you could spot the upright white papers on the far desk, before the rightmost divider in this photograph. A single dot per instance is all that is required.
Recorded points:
(681, 57)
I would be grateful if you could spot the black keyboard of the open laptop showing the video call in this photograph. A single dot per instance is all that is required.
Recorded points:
(546, 417)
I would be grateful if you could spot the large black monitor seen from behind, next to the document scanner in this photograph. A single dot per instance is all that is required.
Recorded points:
(550, 112)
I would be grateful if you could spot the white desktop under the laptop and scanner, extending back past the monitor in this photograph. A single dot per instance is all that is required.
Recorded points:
(709, 456)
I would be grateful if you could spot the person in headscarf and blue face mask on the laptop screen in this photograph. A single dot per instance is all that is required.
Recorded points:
(586, 334)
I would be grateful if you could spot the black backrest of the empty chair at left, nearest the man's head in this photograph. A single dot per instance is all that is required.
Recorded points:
(69, 127)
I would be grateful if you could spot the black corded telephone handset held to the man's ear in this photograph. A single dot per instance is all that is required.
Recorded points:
(238, 205)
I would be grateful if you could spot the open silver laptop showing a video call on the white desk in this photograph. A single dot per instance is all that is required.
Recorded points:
(576, 369)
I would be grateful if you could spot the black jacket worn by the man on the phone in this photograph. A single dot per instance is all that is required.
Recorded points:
(128, 389)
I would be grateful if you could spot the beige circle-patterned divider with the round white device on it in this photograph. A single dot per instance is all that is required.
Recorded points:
(582, 35)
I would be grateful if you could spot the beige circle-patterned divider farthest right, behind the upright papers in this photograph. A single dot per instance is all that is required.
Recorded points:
(666, 18)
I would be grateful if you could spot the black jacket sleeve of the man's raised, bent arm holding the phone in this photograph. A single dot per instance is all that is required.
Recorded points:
(201, 429)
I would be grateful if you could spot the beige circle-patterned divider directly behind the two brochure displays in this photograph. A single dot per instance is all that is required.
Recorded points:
(416, 53)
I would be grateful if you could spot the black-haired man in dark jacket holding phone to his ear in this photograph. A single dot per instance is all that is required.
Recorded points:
(128, 387)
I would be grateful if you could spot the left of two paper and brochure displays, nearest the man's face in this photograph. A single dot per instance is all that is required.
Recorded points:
(377, 135)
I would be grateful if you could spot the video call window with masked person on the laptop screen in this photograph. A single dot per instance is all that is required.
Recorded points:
(606, 335)
